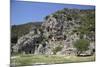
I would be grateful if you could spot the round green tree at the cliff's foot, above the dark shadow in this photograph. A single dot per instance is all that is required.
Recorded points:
(81, 45)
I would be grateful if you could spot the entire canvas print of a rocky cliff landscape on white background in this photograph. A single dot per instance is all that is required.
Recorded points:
(51, 33)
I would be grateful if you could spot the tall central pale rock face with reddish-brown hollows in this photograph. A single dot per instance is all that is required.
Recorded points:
(60, 33)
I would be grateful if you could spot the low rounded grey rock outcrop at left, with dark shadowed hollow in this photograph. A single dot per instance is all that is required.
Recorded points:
(31, 44)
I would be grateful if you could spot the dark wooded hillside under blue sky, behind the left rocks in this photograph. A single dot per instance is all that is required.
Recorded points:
(19, 30)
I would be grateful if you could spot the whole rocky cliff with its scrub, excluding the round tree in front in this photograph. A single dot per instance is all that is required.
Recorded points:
(58, 33)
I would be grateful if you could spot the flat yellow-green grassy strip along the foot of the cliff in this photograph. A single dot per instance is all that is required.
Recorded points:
(23, 60)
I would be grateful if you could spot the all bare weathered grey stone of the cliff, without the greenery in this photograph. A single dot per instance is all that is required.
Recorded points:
(57, 31)
